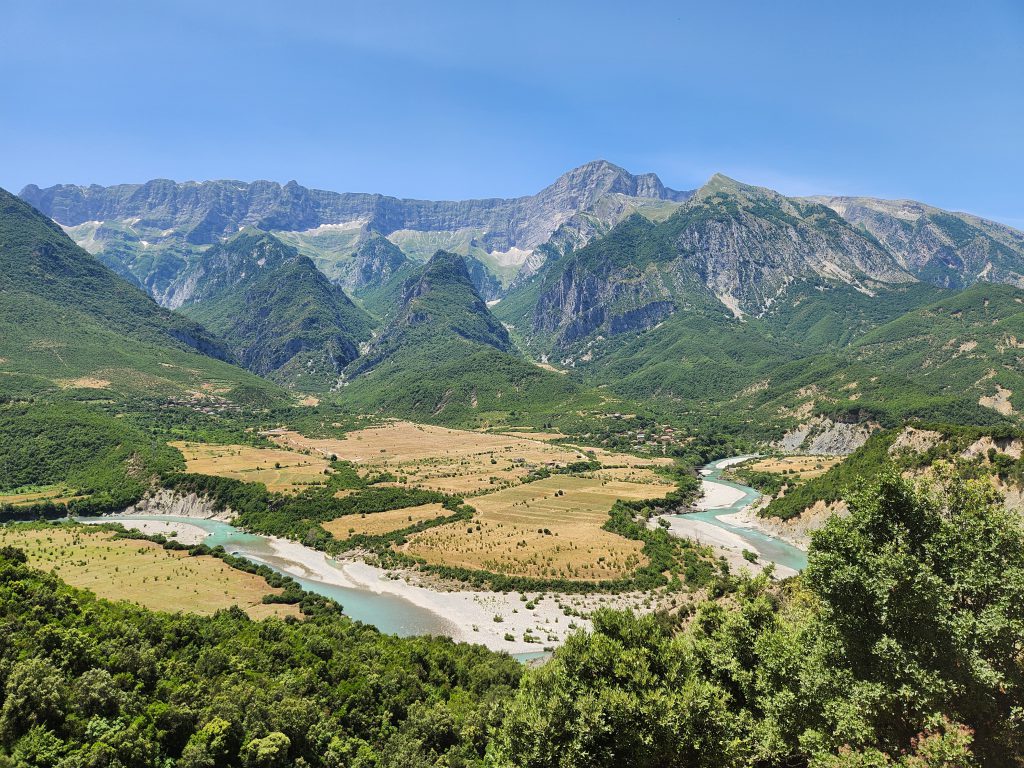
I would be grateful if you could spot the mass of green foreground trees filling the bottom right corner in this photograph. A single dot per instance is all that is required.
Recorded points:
(900, 647)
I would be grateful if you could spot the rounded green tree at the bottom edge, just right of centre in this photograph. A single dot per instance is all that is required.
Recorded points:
(625, 695)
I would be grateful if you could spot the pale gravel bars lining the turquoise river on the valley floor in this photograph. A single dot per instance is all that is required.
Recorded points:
(511, 622)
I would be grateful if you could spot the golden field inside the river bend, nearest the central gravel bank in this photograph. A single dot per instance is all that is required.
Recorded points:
(548, 529)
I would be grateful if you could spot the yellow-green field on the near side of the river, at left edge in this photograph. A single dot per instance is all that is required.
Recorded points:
(143, 573)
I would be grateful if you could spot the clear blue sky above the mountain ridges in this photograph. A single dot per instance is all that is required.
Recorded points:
(456, 100)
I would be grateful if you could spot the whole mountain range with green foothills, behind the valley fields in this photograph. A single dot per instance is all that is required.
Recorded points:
(729, 303)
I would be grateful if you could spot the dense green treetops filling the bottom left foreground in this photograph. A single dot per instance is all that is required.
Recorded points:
(89, 682)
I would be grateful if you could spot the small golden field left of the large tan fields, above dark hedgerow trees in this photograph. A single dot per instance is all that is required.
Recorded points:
(281, 471)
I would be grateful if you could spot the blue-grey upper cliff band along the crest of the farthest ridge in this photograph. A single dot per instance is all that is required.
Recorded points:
(209, 210)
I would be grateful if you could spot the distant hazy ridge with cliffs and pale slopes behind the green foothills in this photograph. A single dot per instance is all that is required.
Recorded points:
(147, 232)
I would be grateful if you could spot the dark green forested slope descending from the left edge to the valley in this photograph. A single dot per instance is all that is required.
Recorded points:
(72, 324)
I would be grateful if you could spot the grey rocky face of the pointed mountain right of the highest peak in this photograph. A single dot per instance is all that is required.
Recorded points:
(731, 246)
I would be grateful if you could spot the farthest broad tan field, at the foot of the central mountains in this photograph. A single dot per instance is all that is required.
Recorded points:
(451, 460)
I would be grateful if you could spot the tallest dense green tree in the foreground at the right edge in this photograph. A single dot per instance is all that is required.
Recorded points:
(922, 615)
